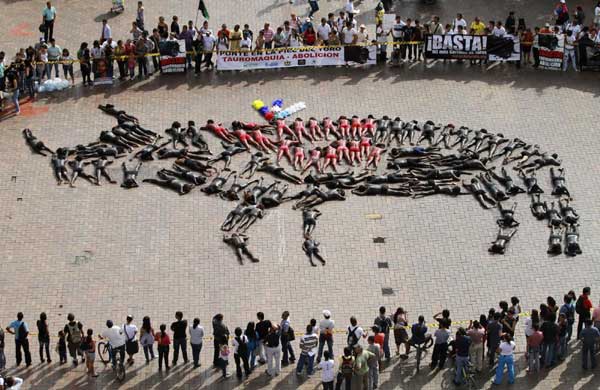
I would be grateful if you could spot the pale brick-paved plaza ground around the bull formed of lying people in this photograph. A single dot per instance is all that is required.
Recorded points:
(104, 252)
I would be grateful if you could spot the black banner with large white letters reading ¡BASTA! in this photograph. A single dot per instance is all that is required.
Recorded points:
(456, 47)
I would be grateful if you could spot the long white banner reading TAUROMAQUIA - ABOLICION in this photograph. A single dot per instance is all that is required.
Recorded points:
(296, 57)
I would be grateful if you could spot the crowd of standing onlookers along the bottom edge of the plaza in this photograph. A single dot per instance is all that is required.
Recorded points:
(488, 341)
